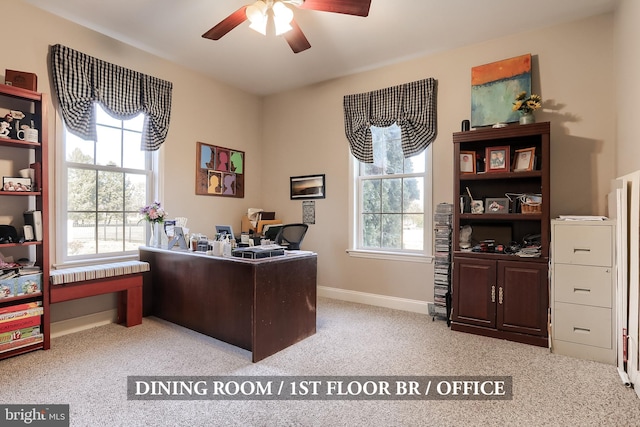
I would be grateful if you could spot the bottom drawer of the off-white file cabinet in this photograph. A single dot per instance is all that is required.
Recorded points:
(582, 324)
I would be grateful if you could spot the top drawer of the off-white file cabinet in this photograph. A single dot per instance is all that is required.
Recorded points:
(583, 245)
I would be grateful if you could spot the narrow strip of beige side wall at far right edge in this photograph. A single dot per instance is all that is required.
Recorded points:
(628, 86)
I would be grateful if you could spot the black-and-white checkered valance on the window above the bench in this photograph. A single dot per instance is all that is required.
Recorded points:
(80, 80)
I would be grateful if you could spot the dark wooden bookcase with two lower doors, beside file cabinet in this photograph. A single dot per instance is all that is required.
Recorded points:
(497, 290)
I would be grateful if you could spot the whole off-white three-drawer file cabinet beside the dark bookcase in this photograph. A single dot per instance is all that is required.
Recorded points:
(583, 279)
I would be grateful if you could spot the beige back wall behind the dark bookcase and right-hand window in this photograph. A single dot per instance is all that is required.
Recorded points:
(304, 134)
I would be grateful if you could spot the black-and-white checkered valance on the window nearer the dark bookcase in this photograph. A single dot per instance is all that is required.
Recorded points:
(411, 105)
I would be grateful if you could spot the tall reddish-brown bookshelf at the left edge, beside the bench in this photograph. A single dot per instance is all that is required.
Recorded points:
(27, 108)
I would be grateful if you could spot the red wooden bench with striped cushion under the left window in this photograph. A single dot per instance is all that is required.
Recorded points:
(123, 277)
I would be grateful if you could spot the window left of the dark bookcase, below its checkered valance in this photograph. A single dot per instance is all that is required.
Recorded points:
(391, 198)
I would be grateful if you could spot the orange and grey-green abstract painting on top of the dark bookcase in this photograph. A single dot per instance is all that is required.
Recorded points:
(494, 88)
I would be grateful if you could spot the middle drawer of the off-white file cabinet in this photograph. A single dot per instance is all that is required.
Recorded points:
(586, 285)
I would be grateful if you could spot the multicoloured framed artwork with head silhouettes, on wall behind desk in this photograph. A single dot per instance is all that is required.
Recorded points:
(219, 171)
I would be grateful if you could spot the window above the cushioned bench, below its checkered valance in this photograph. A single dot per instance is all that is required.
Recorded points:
(104, 183)
